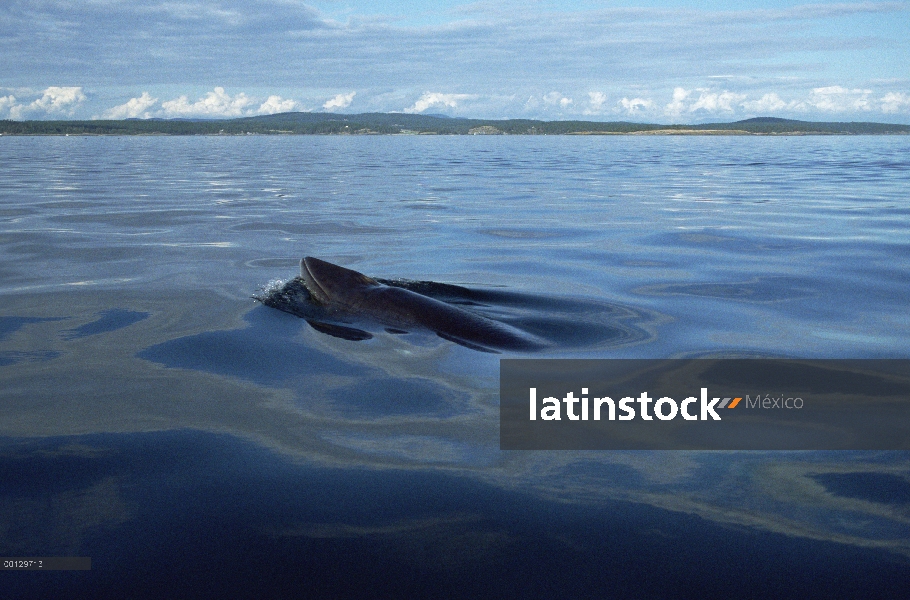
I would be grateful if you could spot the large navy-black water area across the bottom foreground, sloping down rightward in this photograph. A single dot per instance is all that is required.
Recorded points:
(186, 514)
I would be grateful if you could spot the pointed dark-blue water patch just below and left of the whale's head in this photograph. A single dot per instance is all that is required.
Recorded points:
(268, 352)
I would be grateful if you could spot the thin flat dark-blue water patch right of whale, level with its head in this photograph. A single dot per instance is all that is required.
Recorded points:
(759, 289)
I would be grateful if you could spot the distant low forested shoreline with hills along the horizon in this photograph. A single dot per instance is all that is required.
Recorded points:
(415, 124)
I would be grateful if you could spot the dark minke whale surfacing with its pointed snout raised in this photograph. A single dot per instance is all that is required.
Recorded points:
(332, 298)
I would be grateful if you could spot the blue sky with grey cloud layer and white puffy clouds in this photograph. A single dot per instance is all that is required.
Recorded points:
(678, 61)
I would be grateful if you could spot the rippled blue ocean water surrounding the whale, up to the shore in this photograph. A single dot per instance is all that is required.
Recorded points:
(195, 443)
